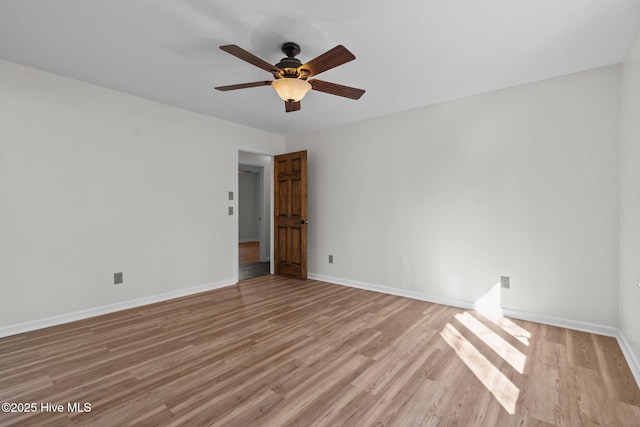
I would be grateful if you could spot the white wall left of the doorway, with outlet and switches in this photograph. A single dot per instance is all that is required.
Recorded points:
(94, 181)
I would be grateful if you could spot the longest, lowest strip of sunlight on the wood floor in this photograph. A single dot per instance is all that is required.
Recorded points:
(505, 392)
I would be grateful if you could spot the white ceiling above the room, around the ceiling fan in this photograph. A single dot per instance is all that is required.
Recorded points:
(409, 53)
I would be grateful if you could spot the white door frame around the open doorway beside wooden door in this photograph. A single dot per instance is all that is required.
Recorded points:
(234, 203)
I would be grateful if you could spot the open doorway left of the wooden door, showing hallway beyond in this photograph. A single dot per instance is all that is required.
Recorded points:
(254, 189)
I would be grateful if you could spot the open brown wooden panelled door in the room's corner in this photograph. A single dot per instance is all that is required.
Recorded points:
(290, 214)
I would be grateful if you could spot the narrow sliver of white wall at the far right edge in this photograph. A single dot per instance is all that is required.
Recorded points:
(630, 198)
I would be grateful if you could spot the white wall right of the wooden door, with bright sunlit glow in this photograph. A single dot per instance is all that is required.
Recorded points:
(444, 199)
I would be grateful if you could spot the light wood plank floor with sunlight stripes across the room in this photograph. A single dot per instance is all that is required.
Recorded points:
(282, 352)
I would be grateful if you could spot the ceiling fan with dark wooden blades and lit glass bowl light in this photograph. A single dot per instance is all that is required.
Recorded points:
(290, 74)
